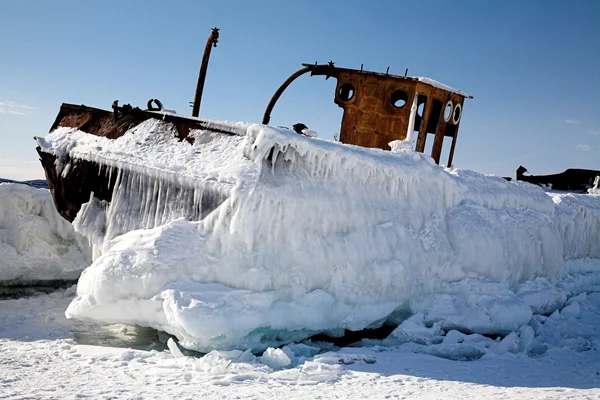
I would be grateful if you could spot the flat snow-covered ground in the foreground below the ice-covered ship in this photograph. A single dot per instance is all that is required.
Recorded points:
(45, 356)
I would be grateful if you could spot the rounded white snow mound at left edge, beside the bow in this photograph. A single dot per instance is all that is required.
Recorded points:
(36, 243)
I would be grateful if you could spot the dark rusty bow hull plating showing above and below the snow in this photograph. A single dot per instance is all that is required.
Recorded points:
(71, 188)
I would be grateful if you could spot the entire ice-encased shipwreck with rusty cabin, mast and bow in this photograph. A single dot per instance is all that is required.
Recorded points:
(256, 236)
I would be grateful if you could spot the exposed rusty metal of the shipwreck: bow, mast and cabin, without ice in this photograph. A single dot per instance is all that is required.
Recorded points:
(379, 108)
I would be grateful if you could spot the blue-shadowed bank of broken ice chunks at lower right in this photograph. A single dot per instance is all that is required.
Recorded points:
(569, 322)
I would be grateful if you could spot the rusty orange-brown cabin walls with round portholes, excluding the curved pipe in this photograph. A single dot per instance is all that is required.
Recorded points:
(372, 120)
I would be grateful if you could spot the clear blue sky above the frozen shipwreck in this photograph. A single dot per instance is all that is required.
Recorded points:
(532, 66)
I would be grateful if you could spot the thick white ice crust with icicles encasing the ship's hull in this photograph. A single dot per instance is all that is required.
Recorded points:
(318, 236)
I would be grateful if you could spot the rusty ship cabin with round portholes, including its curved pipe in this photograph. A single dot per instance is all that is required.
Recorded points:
(380, 108)
